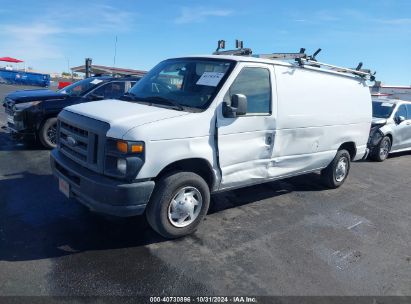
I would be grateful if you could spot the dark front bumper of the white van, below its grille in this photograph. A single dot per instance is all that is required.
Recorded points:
(100, 193)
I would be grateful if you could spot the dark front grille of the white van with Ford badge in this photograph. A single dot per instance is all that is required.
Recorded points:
(82, 140)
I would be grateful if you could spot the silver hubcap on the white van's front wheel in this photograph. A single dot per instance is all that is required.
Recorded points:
(185, 207)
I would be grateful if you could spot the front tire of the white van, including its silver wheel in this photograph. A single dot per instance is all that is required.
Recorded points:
(173, 199)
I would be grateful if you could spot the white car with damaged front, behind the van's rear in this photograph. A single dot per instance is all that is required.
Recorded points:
(391, 128)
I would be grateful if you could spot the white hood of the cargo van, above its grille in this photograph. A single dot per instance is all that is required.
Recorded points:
(123, 115)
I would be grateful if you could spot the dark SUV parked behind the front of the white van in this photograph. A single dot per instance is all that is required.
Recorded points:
(33, 113)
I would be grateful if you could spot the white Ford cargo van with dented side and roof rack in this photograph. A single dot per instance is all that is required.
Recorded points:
(198, 125)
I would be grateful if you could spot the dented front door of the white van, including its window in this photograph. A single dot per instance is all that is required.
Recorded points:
(245, 143)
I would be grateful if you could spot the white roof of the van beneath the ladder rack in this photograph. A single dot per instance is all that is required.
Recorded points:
(271, 61)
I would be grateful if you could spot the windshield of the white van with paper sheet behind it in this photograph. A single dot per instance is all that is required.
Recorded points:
(187, 82)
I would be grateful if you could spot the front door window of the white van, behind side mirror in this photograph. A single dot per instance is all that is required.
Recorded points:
(255, 84)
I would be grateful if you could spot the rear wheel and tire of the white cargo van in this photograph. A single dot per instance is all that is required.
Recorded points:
(337, 171)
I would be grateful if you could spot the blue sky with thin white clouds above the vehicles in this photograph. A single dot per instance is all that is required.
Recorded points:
(52, 35)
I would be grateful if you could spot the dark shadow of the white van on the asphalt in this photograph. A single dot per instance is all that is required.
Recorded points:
(38, 222)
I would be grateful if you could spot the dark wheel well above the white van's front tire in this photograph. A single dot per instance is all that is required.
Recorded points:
(196, 165)
